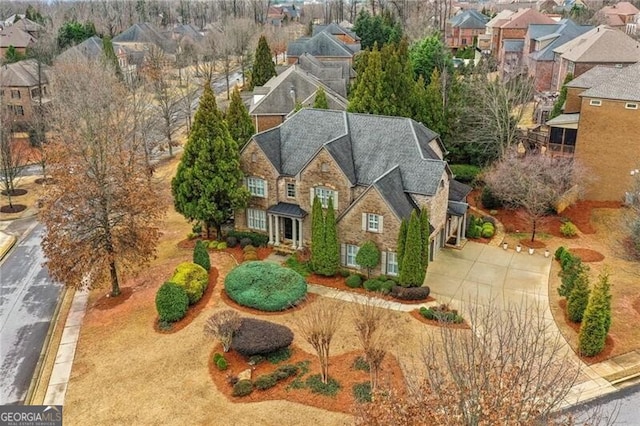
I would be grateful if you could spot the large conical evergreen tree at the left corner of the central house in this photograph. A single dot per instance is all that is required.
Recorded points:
(208, 183)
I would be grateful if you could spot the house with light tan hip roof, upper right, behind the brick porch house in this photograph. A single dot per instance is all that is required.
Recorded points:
(599, 46)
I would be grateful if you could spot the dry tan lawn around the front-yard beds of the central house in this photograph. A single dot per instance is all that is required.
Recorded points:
(126, 373)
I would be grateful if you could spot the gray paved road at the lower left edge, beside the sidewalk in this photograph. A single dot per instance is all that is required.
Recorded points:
(28, 298)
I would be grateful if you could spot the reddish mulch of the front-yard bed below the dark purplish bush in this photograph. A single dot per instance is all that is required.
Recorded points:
(340, 368)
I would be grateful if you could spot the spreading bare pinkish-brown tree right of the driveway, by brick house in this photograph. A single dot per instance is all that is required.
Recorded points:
(535, 183)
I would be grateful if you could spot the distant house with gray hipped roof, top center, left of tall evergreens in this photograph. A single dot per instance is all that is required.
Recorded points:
(324, 47)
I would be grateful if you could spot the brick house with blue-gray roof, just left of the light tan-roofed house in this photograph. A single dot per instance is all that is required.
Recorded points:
(539, 43)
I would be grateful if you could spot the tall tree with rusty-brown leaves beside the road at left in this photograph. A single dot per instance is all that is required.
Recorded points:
(102, 217)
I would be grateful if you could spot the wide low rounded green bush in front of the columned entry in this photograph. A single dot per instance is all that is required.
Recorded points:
(265, 286)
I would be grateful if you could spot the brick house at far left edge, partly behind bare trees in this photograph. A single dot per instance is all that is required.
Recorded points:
(20, 90)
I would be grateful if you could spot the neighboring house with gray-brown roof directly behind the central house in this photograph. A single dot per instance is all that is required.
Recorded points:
(273, 102)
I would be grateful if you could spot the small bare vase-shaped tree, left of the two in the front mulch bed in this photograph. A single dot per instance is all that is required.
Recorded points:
(318, 324)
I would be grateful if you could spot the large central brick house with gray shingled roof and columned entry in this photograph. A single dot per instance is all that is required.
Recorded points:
(376, 169)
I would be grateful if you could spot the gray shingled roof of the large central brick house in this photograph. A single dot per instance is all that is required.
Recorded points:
(364, 146)
